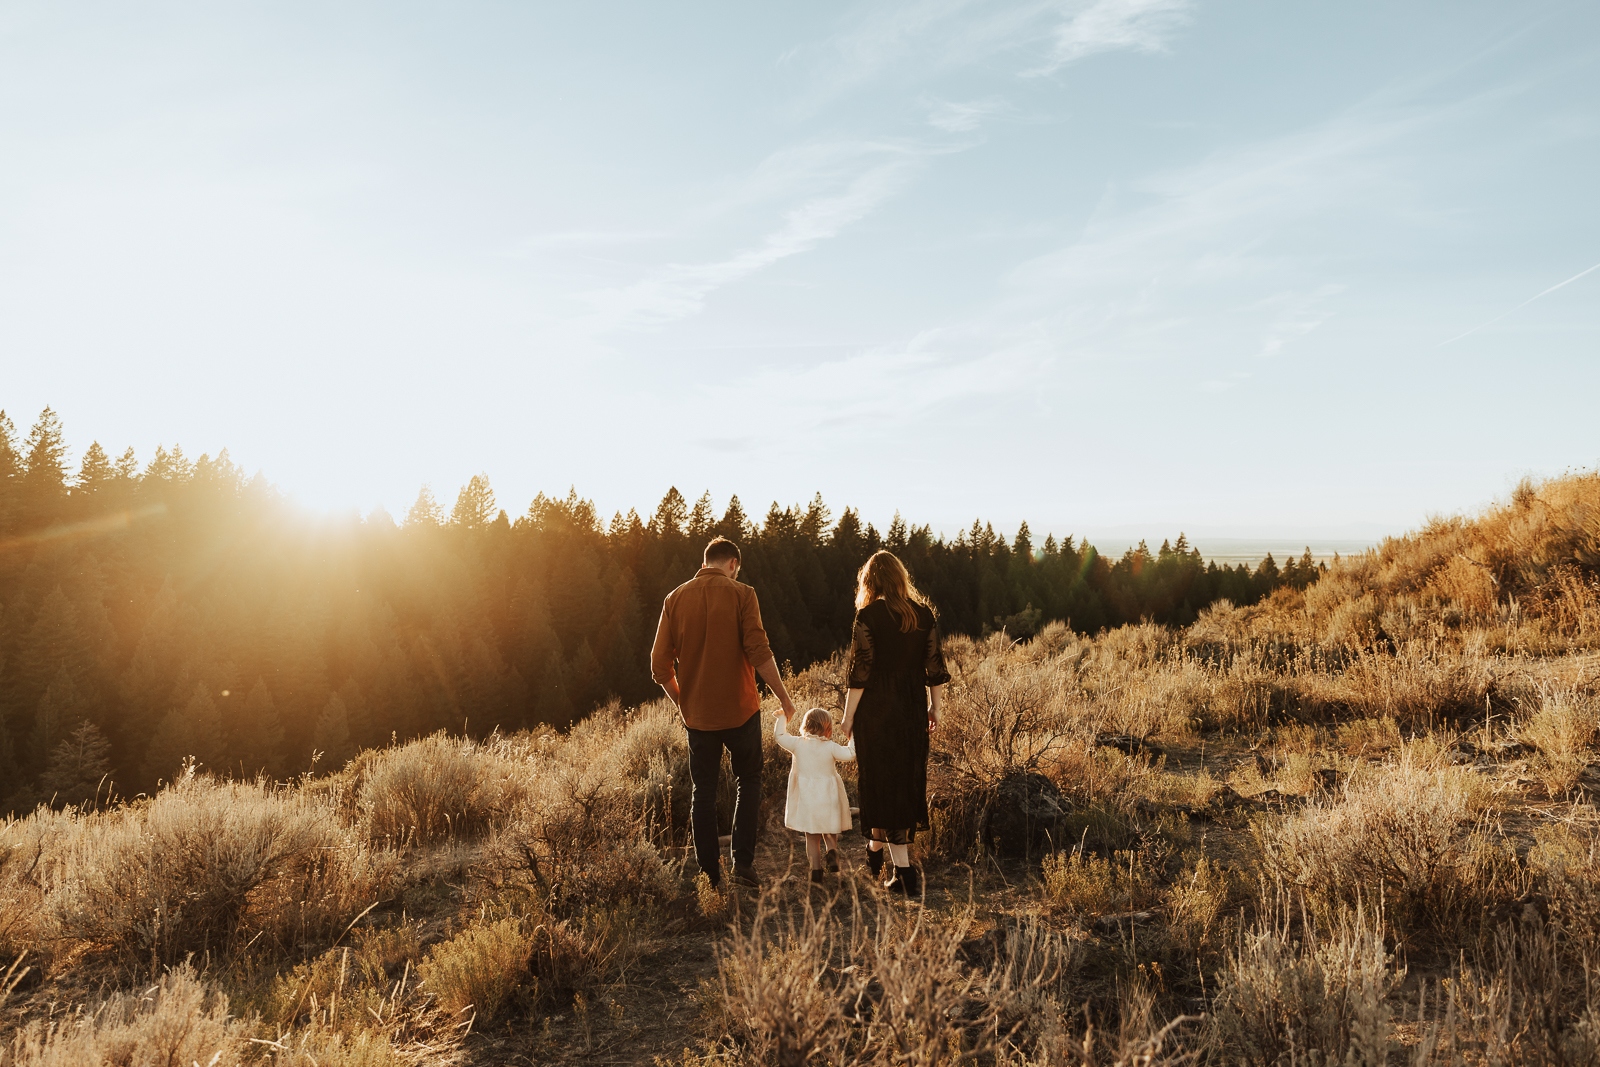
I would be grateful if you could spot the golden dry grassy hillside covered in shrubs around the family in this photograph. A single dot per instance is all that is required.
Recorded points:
(1348, 825)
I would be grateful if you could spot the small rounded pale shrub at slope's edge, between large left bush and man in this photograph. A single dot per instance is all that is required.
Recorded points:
(436, 788)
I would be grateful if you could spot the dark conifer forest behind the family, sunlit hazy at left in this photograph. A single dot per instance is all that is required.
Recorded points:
(177, 609)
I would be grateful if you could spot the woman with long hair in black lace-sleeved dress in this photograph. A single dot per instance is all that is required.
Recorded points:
(897, 687)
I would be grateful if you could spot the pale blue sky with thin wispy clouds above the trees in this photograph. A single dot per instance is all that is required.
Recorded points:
(1113, 263)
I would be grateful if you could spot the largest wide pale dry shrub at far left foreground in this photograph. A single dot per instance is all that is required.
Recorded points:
(207, 866)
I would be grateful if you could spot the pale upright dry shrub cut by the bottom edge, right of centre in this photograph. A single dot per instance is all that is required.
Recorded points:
(1292, 999)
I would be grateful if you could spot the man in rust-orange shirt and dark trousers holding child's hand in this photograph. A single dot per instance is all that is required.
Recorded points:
(710, 649)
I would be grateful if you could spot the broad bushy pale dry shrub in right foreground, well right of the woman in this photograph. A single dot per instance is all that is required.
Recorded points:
(1402, 839)
